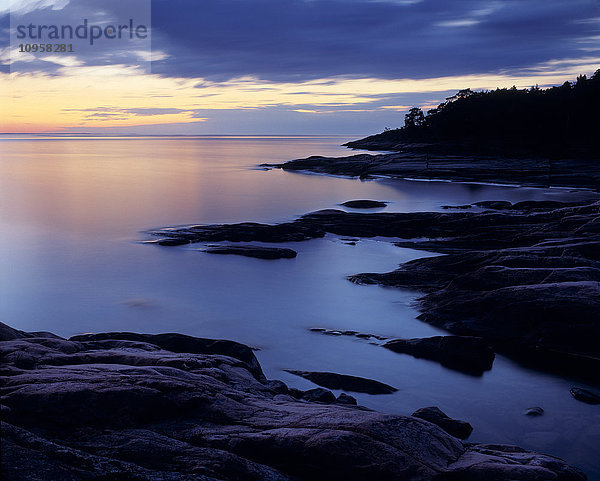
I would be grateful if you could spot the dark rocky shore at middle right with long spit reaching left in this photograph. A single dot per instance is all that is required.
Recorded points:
(524, 277)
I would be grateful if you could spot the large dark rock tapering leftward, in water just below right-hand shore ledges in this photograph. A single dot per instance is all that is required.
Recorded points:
(471, 355)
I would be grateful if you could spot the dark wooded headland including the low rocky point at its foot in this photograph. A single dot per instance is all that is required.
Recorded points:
(538, 137)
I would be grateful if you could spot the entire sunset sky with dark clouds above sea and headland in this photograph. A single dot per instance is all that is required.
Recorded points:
(276, 66)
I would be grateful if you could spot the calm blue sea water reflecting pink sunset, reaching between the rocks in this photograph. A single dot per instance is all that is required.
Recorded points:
(72, 211)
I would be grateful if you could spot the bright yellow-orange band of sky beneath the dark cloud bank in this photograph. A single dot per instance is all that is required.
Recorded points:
(120, 96)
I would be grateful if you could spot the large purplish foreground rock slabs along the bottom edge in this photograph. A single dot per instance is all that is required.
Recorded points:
(124, 406)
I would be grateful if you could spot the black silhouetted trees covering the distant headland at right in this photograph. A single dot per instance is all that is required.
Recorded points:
(555, 122)
